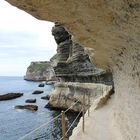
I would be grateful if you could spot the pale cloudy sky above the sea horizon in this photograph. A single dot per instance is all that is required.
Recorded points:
(22, 39)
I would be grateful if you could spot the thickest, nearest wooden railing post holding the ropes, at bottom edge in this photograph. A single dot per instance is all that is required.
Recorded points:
(63, 125)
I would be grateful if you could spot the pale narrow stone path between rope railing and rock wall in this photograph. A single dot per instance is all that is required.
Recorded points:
(99, 126)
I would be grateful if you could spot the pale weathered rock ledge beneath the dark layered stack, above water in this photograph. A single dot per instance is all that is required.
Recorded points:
(67, 93)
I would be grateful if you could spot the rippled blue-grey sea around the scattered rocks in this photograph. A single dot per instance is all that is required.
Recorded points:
(17, 124)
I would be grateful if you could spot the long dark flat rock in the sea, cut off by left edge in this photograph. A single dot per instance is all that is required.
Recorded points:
(10, 96)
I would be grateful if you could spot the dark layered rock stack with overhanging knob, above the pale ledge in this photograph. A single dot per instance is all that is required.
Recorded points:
(74, 64)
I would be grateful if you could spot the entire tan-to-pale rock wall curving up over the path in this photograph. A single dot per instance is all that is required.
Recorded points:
(111, 29)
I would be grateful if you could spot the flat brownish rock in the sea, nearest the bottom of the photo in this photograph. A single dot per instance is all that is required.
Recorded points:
(29, 107)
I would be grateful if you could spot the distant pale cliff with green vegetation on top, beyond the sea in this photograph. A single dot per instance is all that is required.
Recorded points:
(40, 71)
